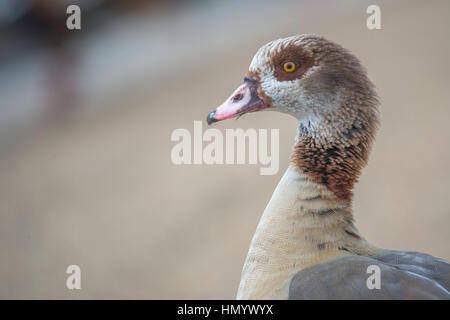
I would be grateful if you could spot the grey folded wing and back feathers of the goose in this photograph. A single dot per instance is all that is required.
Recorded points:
(404, 275)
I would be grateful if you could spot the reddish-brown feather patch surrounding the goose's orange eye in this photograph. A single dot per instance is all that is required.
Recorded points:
(295, 54)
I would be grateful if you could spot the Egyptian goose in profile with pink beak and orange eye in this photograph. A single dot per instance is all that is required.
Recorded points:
(306, 245)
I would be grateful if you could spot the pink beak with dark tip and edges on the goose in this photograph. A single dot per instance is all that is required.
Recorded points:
(244, 99)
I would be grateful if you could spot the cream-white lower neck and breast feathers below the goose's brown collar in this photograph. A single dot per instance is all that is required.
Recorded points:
(304, 224)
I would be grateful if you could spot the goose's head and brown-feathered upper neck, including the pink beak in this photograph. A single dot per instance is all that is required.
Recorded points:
(326, 88)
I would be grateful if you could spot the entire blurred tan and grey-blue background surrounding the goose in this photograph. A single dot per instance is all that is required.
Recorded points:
(86, 116)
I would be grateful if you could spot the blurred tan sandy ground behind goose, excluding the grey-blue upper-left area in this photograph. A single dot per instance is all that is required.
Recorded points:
(101, 191)
